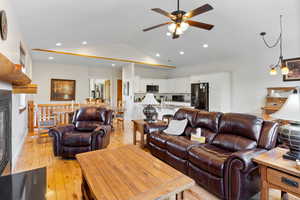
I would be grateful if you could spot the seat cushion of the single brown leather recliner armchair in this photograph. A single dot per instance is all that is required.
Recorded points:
(76, 139)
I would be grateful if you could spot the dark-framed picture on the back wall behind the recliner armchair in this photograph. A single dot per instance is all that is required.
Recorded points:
(63, 90)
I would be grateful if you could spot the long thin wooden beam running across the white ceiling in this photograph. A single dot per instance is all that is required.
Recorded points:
(106, 58)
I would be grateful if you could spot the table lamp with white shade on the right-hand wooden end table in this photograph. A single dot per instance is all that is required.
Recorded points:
(290, 134)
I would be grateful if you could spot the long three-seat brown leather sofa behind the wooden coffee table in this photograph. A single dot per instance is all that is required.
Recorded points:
(223, 165)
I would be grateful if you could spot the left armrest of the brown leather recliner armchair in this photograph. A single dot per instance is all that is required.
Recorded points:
(57, 133)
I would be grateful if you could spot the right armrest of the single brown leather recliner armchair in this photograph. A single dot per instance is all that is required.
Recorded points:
(101, 137)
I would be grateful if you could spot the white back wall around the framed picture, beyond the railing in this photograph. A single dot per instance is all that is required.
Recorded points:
(43, 72)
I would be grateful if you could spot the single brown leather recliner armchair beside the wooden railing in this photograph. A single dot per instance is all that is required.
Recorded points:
(90, 130)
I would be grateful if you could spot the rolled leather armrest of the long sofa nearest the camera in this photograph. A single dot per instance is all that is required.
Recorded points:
(240, 170)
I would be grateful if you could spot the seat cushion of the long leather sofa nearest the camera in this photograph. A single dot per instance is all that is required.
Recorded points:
(209, 158)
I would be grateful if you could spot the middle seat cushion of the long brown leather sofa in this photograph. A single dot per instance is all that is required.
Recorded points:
(179, 146)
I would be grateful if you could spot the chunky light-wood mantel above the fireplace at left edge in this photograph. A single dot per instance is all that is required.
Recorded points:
(12, 73)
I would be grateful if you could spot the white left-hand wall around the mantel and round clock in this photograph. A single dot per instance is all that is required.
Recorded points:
(11, 49)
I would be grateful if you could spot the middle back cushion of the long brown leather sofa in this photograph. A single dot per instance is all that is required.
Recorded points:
(208, 120)
